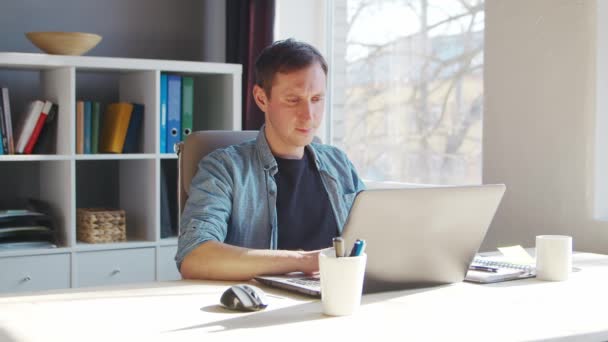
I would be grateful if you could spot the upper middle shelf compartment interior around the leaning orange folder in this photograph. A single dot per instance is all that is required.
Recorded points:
(108, 87)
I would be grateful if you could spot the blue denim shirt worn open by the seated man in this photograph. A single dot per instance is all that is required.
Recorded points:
(233, 195)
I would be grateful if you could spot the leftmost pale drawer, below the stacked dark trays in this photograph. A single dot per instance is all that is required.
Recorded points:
(34, 273)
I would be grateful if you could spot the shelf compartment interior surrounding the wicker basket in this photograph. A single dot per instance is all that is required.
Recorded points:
(120, 184)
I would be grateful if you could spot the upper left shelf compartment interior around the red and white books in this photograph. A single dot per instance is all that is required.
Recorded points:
(55, 85)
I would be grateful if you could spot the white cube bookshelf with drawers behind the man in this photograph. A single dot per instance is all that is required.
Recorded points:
(67, 180)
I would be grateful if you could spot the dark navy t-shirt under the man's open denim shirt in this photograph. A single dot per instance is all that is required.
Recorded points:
(304, 213)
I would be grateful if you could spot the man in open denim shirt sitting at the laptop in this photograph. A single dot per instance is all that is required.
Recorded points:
(268, 206)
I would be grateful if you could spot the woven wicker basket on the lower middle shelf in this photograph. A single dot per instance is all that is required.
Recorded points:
(99, 225)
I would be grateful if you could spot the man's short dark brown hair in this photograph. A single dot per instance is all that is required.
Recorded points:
(284, 56)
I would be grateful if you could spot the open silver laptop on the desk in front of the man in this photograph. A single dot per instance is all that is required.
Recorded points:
(415, 237)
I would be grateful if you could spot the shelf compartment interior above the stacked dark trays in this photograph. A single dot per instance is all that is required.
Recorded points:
(47, 181)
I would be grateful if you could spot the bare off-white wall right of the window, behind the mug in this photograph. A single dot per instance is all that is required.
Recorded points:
(539, 121)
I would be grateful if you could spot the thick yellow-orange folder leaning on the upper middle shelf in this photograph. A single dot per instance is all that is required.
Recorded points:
(114, 129)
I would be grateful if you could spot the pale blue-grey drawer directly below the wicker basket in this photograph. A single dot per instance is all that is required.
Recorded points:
(118, 266)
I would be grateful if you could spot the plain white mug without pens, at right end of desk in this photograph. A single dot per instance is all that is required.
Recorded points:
(553, 257)
